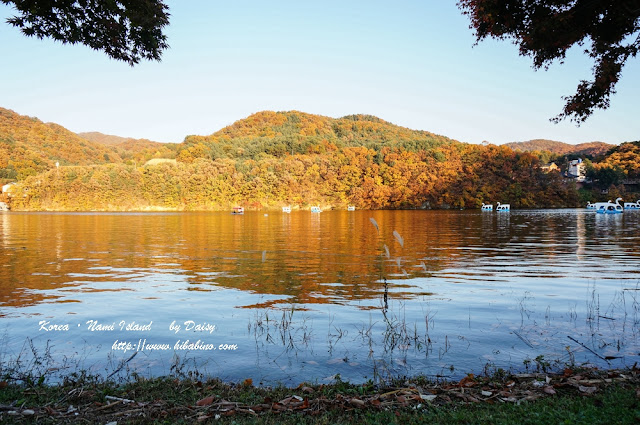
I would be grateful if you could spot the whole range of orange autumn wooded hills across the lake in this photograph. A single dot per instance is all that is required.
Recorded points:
(271, 159)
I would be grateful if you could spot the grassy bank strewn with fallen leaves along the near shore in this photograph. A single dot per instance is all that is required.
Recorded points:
(581, 396)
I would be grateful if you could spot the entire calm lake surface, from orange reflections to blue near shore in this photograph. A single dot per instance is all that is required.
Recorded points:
(305, 297)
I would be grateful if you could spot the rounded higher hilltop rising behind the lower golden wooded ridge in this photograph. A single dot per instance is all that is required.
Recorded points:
(278, 134)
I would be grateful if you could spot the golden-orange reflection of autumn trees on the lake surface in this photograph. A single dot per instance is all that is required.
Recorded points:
(332, 257)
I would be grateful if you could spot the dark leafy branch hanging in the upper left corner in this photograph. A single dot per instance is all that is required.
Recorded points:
(126, 30)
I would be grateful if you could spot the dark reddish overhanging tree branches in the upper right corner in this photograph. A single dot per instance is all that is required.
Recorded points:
(545, 30)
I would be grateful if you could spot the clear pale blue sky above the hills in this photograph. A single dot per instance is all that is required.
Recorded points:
(411, 63)
